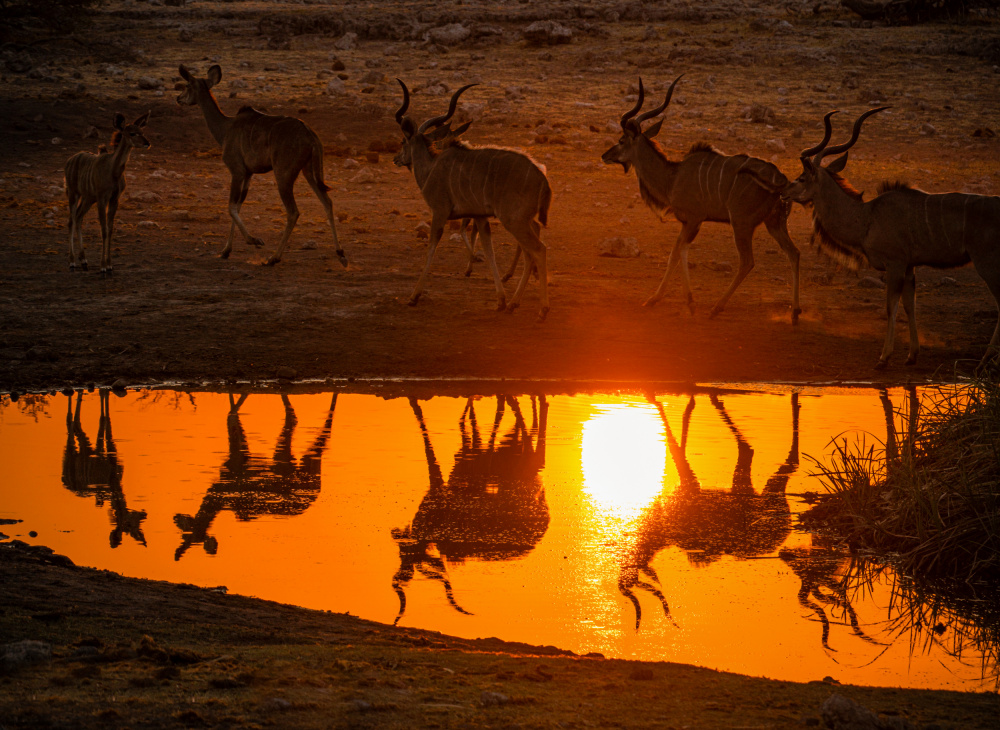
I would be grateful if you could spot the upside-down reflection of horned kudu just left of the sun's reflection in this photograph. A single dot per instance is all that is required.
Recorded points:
(492, 507)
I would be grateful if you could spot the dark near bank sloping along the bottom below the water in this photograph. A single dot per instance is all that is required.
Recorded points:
(135, 653)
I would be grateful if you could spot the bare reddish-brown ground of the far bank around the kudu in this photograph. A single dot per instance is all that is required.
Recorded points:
(175, 311)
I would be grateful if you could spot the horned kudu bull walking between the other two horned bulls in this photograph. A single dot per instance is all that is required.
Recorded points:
(705, 185)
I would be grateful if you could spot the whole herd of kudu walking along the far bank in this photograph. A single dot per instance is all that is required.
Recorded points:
(898, 230)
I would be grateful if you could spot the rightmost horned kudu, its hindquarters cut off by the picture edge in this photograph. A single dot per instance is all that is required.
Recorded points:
(899, 229)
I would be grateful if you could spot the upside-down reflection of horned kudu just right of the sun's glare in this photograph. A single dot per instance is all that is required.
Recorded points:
(708, 523)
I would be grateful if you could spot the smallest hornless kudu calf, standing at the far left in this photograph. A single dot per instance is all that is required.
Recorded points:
(100, 179)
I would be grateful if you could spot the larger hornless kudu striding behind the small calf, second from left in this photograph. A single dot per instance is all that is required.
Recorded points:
(254, 143)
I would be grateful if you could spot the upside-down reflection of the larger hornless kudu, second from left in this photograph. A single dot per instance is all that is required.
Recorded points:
(252, 485)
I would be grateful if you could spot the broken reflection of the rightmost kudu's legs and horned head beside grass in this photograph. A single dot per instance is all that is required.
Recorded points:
(824, 570)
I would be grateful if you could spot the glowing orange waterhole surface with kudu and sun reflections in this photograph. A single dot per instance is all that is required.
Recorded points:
(638, 526)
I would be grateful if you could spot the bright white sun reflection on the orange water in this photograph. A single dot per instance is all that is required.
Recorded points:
(624, 458)
